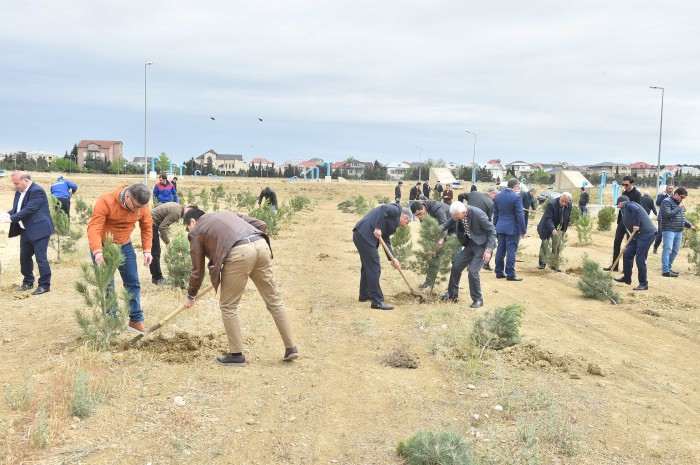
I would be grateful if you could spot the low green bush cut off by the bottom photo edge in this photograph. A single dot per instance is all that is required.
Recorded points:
(436, 448)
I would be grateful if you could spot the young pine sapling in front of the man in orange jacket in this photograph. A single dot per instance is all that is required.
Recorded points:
(108, 312)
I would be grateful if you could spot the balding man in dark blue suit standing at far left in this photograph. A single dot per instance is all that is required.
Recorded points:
(30, 219)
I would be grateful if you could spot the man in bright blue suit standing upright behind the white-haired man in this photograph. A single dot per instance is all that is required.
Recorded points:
(509, 219)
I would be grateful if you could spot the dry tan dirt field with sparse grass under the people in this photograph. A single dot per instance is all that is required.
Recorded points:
(591, 383)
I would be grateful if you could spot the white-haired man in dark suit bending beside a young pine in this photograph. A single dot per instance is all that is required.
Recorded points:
(477, 235)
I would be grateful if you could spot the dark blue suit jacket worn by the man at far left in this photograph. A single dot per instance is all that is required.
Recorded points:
(33, 213)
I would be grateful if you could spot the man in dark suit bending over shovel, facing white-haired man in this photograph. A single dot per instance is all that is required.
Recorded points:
(382, 221)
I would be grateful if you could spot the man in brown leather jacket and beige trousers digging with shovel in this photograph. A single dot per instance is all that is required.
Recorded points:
(237, 248)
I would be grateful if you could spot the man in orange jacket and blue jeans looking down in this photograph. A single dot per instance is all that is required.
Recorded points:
(116, 213)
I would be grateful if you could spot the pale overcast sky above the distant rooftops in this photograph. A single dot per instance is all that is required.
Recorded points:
(536, 81)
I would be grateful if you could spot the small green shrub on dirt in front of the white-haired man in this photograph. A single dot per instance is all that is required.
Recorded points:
(498, 329)
